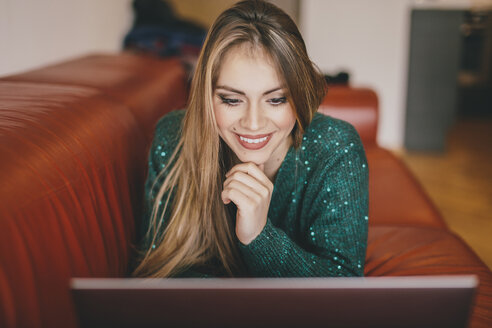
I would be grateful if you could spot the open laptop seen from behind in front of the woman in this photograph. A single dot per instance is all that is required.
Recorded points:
(430, 301)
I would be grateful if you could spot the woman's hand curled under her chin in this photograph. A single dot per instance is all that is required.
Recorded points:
(250, 190)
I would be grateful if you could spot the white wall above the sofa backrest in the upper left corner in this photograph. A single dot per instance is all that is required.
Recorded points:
(34, 33)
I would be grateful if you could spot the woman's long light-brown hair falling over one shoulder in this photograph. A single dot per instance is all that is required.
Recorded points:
(200, 228)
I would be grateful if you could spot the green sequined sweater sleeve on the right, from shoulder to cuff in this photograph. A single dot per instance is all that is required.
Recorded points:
(335, 238)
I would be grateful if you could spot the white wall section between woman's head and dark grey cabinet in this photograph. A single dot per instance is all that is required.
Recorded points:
(370, 40)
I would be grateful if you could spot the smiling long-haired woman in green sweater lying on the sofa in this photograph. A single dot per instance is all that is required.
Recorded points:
(250, 180)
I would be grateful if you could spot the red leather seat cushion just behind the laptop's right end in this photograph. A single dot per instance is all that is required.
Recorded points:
(412, 251)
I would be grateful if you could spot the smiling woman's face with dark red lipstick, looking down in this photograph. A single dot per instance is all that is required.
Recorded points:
(251, 108)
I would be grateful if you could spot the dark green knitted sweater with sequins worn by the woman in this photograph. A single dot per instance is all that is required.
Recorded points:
(318, 216)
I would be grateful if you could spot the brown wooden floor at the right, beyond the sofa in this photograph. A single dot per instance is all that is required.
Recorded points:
(460, 182)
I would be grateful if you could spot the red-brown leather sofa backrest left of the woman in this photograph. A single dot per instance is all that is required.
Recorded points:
(74, 139)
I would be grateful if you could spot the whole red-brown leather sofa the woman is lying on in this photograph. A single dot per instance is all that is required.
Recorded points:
(74, 139)
